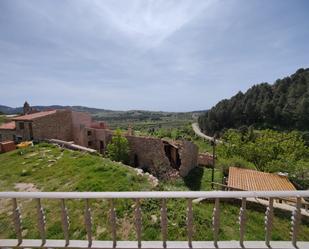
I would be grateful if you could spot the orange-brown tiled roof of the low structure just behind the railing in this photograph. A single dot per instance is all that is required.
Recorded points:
(253, 180)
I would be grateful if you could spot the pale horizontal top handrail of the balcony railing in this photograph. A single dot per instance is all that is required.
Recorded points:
(156, 194)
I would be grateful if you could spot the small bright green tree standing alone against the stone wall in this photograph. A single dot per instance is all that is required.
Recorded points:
(118, 148)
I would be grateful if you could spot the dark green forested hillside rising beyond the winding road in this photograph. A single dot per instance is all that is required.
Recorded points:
(283, 106)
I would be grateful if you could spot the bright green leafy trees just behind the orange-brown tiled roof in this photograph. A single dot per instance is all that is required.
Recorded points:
(268, 150)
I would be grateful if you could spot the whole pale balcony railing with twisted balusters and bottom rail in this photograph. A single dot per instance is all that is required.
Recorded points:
(216, 196)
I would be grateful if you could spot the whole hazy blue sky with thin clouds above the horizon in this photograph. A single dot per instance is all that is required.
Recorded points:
(169, 55)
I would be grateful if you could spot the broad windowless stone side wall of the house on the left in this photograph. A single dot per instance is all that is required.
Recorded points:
(57, 126)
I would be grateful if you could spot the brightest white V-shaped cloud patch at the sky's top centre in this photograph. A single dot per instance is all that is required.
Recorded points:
(150, 22)
